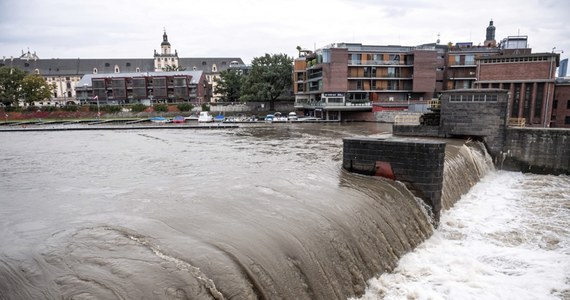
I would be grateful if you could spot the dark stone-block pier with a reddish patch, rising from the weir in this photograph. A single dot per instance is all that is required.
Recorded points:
(418, 164)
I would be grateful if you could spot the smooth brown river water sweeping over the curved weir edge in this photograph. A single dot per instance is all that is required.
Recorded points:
(262, 212)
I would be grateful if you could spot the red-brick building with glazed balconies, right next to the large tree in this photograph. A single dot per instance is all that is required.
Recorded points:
(345, 78)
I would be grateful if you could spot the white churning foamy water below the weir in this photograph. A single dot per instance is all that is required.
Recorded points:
(508, 238)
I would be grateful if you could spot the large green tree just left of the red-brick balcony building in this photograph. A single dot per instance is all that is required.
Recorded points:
(270, 76)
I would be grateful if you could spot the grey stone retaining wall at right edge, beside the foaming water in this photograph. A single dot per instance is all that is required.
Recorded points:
(542, 151)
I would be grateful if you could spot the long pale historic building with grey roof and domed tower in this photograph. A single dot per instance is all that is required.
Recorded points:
(64, 75)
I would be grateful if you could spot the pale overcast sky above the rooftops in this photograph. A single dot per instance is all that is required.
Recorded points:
(251, 28)
